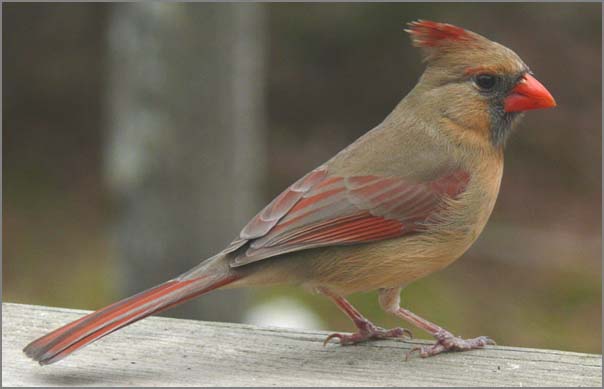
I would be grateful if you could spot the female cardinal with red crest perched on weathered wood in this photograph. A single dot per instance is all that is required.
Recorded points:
(404, 200)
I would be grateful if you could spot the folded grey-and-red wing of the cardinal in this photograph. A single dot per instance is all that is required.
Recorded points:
(323, 210)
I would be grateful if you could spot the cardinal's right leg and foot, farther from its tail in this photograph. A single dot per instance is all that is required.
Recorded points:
(445, 341)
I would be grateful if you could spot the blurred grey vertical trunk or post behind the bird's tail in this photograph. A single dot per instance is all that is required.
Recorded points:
(185, 150)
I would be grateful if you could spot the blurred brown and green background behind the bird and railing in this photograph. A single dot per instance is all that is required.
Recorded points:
(139, 138)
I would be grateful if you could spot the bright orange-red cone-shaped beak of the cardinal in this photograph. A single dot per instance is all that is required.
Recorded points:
(528, 94)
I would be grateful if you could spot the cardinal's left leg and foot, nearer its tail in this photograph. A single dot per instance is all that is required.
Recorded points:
(366, 329)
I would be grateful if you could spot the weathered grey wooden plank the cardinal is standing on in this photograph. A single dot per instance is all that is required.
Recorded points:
(172, 352)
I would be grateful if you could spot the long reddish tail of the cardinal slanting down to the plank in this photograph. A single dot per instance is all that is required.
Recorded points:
(61, 342)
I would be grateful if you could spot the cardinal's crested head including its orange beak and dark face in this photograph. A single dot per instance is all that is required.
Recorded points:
(475, 83)
